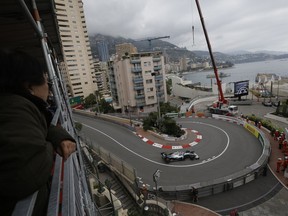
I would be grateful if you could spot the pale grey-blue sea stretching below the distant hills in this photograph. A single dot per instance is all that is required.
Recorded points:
(240, 72)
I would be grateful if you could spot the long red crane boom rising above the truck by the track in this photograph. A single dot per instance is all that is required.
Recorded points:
(221, 96)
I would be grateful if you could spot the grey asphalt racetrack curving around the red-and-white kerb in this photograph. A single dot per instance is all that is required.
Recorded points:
(225, 148)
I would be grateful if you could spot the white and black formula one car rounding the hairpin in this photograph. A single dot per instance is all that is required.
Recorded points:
(179, 155)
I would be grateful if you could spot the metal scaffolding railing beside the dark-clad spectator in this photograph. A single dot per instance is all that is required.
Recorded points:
(69, 193)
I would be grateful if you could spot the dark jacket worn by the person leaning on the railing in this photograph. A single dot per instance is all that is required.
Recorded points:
(26, 152)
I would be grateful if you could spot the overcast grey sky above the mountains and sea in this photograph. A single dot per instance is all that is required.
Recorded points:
(232, 25)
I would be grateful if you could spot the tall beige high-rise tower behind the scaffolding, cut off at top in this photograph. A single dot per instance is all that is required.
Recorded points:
(77, 68)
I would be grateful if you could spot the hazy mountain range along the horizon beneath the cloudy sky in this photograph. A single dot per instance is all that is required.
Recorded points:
(175, 53)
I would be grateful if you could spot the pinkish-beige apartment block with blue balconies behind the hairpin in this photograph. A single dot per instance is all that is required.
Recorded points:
(139, 82)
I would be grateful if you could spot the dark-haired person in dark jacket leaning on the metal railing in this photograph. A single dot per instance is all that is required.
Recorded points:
(26, 137)
